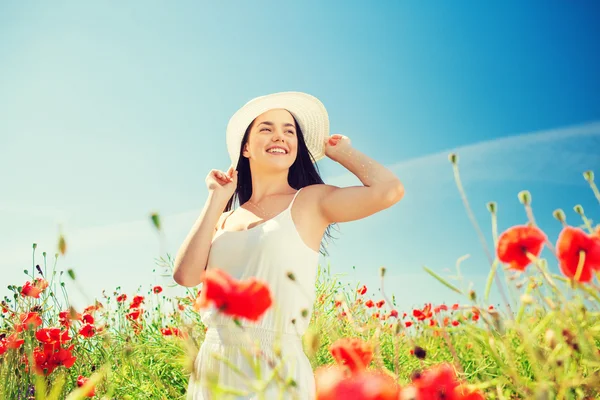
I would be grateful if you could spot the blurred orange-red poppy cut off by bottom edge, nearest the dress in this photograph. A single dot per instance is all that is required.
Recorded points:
(333, 383)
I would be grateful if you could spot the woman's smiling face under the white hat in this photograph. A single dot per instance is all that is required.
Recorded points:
(272, 142)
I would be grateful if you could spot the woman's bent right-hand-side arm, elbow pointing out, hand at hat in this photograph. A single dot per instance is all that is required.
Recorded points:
(381, 189)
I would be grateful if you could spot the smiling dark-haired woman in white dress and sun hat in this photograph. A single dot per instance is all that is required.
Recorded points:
(275, 235)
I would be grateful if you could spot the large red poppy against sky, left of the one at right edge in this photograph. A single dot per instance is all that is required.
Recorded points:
(515, 243)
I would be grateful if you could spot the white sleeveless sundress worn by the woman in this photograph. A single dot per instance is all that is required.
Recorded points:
(269, 251)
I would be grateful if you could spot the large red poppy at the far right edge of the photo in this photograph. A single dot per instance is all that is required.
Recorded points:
(573, 241)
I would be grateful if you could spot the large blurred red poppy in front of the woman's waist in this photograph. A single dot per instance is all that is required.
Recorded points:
(248, 299)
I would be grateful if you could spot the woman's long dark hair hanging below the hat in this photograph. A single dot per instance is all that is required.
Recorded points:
(303, 172)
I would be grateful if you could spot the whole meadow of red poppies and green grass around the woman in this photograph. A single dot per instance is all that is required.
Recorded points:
(542, 343)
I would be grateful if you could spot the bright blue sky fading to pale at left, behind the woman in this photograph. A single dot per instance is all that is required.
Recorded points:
(111, 111)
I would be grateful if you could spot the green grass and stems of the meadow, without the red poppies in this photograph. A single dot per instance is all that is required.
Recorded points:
(547, 347)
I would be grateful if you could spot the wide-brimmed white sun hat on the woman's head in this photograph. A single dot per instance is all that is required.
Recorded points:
(308, 111)
